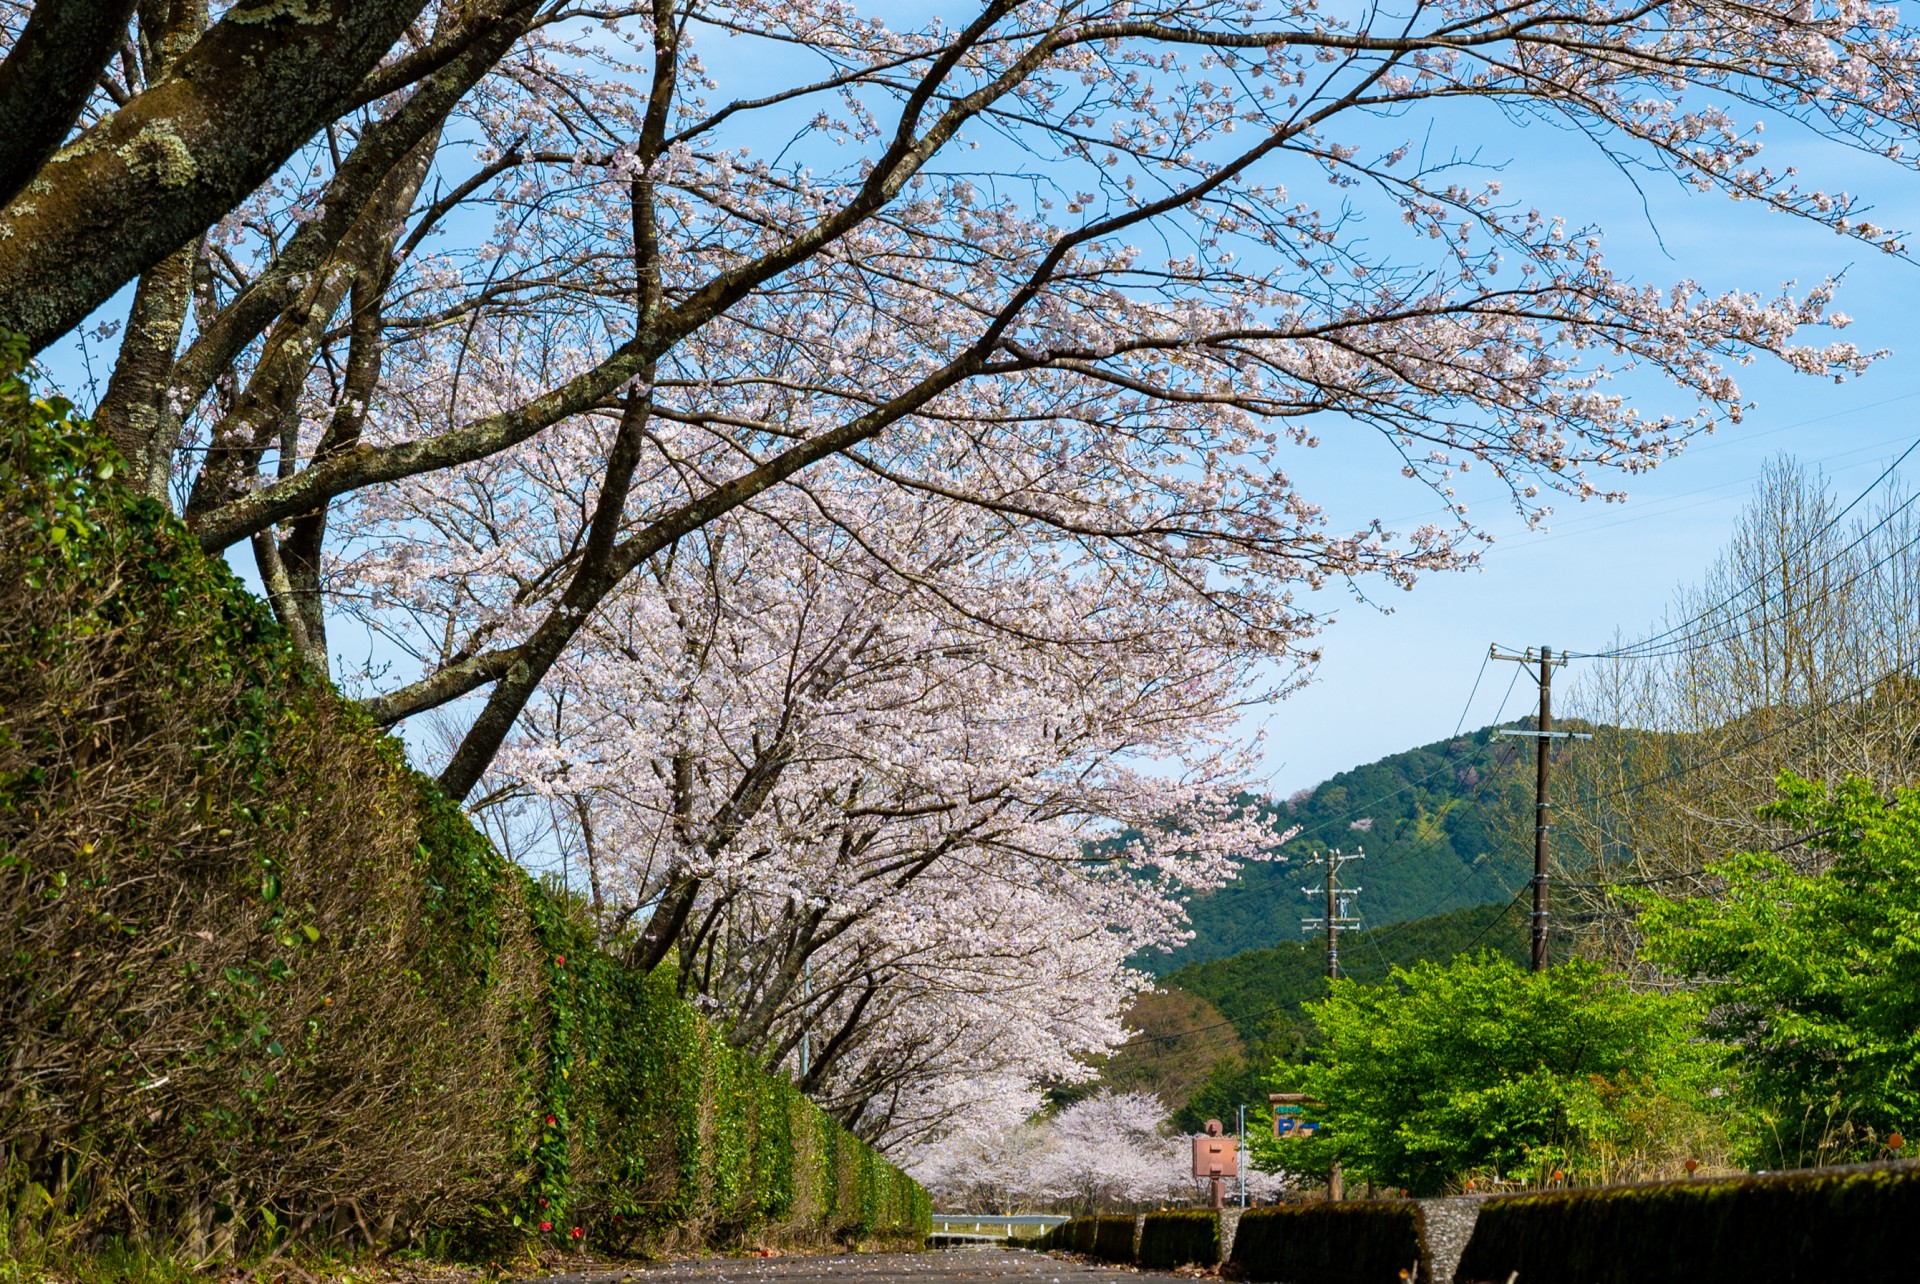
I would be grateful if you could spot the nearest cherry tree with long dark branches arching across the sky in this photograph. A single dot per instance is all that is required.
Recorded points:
(1055, 264)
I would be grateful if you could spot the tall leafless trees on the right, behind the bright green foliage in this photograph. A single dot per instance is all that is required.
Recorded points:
(1796, 654)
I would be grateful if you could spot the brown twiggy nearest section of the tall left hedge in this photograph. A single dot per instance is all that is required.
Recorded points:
(226, 982)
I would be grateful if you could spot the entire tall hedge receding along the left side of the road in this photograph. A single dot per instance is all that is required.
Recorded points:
(264, 978)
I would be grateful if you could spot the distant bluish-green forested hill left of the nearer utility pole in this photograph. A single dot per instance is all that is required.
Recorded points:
(1443, 826)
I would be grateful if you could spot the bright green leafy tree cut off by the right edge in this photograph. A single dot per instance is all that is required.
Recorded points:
(1815, 978)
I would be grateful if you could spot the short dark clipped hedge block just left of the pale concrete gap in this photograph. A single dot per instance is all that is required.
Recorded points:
(1358, 1243)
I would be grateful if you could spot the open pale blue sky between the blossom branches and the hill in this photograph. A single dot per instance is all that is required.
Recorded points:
(1397, 680)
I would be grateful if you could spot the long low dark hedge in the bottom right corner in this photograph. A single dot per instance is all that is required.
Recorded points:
(1856, 1225)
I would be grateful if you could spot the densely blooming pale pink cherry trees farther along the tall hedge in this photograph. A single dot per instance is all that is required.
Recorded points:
(898, 799)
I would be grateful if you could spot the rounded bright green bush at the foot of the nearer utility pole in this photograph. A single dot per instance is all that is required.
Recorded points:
(1476, 1066)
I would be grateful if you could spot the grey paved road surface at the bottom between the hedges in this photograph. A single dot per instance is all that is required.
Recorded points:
(957, 1266)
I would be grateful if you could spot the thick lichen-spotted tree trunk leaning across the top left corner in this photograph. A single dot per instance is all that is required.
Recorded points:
(172, 124)
